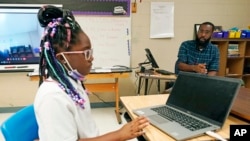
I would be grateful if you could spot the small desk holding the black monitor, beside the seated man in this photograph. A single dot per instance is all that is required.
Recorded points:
(153, 76)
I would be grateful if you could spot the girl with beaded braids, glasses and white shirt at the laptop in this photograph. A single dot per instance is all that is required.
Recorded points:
(62, 107)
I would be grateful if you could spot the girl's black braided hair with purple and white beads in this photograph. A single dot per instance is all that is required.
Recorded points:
(60, 33)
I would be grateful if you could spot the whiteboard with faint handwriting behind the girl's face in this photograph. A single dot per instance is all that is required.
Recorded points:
(110, 38)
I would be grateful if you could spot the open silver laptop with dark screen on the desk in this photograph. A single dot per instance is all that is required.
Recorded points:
(197, 103)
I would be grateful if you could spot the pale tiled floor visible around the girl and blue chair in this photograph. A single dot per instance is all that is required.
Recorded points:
(105, 119)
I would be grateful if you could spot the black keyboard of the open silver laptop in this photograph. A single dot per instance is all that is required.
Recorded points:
(184, 120)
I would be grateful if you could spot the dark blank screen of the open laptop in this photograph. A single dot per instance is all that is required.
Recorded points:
(206, 96)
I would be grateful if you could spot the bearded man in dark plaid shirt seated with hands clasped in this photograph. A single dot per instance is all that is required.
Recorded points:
(199, 55)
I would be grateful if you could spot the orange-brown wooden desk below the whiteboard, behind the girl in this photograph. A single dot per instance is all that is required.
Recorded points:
(103, 87)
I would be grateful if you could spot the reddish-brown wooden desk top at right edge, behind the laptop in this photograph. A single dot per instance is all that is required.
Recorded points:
(242, 103)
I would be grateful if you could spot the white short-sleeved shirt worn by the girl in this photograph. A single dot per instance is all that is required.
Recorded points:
(58, 116)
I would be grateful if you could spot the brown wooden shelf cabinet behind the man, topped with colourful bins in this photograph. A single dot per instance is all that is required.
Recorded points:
(237, 66)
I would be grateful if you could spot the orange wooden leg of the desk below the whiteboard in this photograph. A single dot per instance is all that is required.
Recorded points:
(117, 97)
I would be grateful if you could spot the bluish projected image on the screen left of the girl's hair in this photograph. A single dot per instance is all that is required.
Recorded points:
(20, 35)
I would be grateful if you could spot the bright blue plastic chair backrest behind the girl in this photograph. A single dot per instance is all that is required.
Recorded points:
(21, 126)
